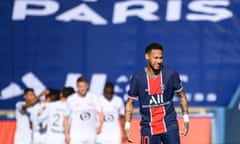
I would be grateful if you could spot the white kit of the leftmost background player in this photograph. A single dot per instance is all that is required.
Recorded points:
(23, 133)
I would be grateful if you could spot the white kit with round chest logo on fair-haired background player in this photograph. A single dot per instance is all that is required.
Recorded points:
(83, 118)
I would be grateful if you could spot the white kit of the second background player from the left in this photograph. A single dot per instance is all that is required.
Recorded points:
(39, 129)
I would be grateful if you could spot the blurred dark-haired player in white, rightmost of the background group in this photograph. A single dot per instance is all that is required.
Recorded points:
(113, 110)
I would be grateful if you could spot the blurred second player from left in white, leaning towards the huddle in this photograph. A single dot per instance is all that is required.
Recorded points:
(40, 128)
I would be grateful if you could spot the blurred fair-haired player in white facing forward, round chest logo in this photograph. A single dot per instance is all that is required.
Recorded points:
(85, 119)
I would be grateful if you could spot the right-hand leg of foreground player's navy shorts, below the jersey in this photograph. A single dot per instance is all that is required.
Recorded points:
(171, 137)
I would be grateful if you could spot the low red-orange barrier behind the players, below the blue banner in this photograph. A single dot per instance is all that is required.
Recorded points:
(200, 130)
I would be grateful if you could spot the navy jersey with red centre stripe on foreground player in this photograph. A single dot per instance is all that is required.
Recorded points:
(155, 96)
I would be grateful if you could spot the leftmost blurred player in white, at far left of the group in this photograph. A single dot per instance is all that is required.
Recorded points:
(23, 133)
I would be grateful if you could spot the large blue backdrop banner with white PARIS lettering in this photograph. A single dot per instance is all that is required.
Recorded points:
(201, 41)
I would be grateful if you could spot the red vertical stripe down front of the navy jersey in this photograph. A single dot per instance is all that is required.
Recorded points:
(156, 113)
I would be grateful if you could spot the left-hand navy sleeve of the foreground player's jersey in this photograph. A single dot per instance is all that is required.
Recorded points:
(133, 90)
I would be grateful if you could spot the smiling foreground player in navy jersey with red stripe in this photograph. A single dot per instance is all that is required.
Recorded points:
(154, 87)
